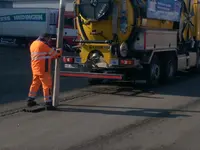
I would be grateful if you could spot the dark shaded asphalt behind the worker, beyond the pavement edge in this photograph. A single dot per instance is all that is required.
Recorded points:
(15, 75)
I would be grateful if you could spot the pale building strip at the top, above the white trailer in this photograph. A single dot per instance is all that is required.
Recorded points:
(41, 4)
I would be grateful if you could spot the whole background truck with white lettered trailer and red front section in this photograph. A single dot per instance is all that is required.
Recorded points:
(21, 26)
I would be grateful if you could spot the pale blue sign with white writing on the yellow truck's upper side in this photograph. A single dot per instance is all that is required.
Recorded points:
(164, 10)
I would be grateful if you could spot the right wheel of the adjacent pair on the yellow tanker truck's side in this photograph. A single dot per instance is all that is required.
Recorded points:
(168, 69)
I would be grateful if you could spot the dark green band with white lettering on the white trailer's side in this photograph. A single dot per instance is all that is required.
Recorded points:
(24, 17)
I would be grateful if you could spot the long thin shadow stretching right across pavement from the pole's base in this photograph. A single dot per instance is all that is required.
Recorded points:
(142, 112)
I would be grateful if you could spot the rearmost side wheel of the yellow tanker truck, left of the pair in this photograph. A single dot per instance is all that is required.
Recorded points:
(153, 72)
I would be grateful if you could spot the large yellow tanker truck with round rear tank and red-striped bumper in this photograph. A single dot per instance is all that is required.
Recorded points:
(132, 40)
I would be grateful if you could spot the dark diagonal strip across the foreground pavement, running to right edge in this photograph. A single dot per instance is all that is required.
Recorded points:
(159, 117)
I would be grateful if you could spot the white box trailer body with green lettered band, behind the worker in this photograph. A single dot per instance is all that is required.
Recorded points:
(27, 22)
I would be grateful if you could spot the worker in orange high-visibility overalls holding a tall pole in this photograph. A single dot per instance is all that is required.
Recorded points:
(41, 56)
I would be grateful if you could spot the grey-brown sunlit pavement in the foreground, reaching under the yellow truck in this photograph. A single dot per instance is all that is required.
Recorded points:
(110, 118)
